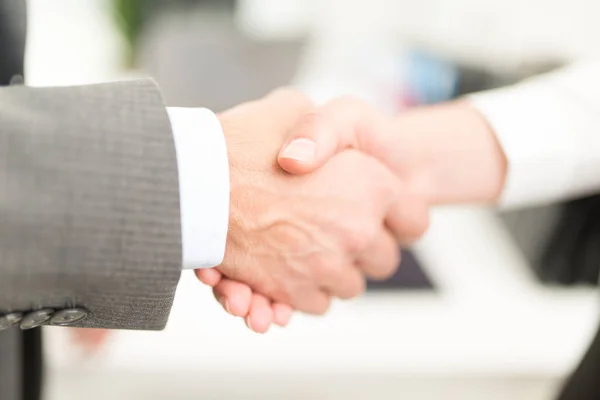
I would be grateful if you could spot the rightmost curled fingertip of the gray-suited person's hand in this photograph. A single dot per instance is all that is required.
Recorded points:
(408, 218)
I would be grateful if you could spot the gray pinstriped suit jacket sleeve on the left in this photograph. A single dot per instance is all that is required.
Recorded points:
(89, 203)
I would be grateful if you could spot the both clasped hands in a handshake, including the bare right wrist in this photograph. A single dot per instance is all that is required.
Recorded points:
(323, 197)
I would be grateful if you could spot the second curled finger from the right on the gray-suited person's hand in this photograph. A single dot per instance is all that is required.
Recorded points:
(381, 259)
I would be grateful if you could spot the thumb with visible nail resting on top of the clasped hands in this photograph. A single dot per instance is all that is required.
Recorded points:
(324, 131)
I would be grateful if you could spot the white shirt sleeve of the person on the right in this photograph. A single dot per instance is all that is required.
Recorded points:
(549, 128)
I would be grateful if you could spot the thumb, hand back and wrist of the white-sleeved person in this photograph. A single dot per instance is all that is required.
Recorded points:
(444, 154)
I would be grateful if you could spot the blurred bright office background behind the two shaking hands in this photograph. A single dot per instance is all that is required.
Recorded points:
(484, 307)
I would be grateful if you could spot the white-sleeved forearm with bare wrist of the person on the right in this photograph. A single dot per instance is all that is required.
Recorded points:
(532, 143)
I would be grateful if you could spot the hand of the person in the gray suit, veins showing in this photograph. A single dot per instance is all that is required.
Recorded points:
(295, 231)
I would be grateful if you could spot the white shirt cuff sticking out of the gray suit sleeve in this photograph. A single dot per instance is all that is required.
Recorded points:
(203, 185)
